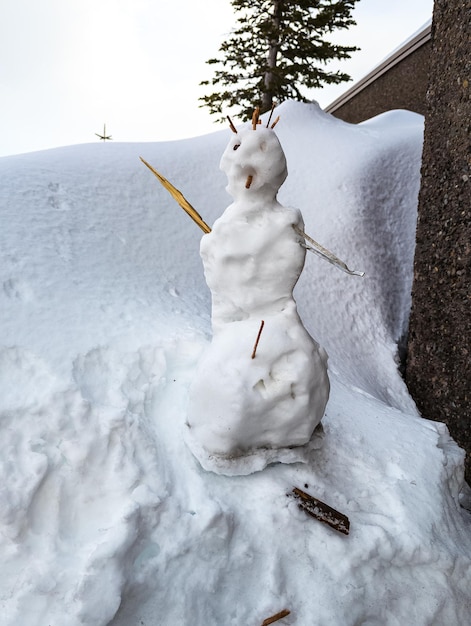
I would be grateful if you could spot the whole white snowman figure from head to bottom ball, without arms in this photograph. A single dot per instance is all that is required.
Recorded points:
(252, 260)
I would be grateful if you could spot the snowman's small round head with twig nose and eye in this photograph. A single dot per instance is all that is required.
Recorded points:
(254, 163)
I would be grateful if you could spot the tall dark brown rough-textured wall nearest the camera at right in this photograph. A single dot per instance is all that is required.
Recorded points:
(438, 370)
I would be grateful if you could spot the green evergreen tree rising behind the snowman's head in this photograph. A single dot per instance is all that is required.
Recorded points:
(277, 46)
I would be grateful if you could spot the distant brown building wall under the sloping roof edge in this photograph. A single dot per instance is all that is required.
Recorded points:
(404, 86)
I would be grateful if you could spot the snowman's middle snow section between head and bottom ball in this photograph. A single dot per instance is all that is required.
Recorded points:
(252, 260)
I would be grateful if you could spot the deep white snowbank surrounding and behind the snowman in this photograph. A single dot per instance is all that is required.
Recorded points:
(106, 517)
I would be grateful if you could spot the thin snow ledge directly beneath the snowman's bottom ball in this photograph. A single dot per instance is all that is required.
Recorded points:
(253, 460)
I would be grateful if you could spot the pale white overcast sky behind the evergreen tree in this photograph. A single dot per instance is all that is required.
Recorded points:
(69, 66)
